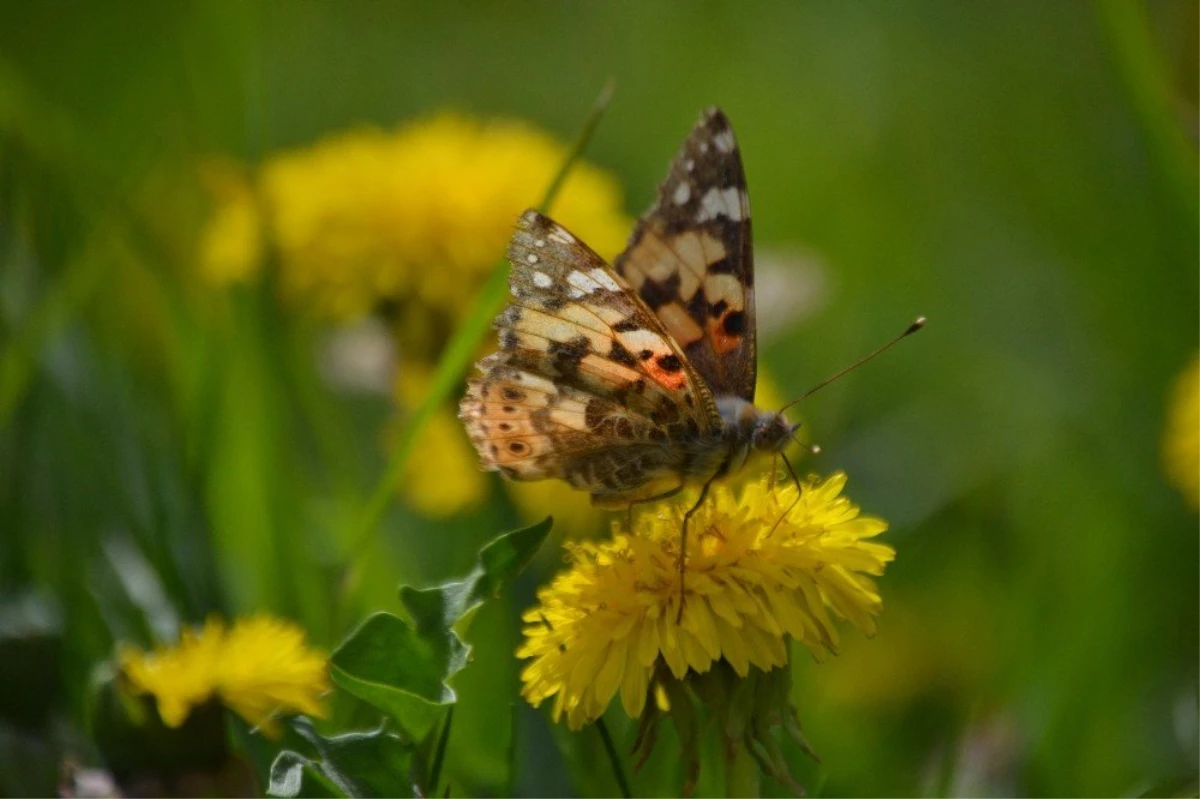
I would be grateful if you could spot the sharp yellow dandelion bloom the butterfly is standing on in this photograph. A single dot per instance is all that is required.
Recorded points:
(607, 624)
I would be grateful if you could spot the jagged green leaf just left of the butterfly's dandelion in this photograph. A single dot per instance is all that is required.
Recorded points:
(404, 668)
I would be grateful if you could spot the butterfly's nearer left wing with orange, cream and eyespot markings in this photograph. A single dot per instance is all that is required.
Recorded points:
(589, 386)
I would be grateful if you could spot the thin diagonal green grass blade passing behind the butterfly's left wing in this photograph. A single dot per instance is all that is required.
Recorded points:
(461, 351)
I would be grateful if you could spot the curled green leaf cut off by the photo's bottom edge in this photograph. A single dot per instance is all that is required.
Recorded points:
(356, 766)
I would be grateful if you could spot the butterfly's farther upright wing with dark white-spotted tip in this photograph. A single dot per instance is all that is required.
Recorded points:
(691, 260)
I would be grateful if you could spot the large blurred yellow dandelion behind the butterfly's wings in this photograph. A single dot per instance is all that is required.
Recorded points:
(418, 214)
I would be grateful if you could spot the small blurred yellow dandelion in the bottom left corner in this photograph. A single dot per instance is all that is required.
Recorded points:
(257, 669)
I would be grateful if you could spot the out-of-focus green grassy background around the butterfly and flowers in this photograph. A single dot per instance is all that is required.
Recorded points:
(1022, 173)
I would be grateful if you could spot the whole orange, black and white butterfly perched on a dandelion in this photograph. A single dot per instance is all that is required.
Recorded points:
(633, 381)
